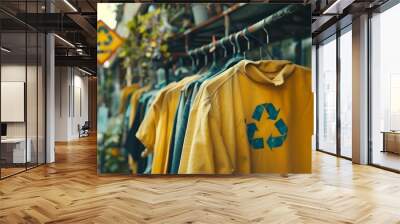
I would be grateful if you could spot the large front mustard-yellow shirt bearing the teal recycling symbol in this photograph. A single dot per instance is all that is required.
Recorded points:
(216, 139)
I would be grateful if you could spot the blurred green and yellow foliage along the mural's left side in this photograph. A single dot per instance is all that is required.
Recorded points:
(144, 48)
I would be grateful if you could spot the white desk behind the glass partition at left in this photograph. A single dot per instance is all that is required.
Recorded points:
(13, 150)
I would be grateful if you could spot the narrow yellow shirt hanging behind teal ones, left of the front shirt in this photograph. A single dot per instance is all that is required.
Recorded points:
(156, 129)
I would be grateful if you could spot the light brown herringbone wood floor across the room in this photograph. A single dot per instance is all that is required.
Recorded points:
(70, 191)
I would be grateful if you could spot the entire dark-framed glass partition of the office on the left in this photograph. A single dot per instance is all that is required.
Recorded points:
(22, 89)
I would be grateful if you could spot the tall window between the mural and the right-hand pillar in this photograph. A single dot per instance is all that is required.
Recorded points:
(340, 124)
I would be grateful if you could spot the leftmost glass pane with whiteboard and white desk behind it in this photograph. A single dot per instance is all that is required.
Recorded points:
(14, 151)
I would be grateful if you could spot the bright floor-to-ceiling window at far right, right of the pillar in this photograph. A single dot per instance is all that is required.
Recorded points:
(385, 89)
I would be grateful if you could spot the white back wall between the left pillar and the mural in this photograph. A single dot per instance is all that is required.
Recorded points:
(71, 94)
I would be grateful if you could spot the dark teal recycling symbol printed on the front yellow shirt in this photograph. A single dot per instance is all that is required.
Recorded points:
(272, 141)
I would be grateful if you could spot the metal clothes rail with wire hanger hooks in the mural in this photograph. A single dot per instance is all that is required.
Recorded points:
(288, 10)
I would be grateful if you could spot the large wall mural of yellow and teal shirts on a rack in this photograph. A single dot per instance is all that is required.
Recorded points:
(184, 89)
